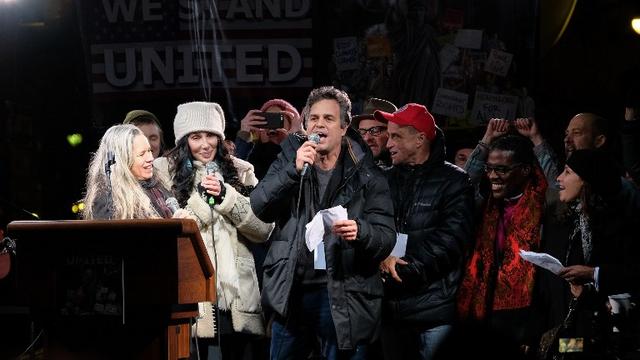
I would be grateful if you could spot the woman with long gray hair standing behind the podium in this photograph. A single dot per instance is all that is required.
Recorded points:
(120, 182)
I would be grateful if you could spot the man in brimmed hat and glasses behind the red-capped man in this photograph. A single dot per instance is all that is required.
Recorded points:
(374, 131)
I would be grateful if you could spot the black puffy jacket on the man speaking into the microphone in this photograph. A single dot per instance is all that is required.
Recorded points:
(353, 279)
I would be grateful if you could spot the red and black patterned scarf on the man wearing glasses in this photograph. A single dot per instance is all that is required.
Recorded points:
(506, 283)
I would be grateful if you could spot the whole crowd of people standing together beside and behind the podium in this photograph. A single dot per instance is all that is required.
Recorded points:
(427, 262)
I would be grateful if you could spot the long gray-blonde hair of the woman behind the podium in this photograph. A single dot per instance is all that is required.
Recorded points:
(129, 198)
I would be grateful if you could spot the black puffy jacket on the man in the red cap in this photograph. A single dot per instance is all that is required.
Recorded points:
(434, 206)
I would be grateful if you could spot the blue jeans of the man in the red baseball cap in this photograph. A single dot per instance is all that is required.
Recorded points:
(402, 342)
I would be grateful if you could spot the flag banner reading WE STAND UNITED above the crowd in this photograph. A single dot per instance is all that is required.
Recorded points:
(141, 46)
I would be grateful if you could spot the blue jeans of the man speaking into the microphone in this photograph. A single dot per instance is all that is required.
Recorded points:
(309, 326)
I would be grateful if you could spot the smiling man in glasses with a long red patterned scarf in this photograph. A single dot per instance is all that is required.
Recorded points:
(497, 290)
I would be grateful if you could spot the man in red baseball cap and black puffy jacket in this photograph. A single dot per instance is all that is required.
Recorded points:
(433, 202)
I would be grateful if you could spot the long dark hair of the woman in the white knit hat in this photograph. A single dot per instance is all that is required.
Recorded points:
(181, 166)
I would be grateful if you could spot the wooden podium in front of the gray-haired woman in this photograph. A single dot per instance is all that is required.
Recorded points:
(120, 289)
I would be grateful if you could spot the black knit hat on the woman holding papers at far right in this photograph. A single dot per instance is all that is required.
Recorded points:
(598, 169)
